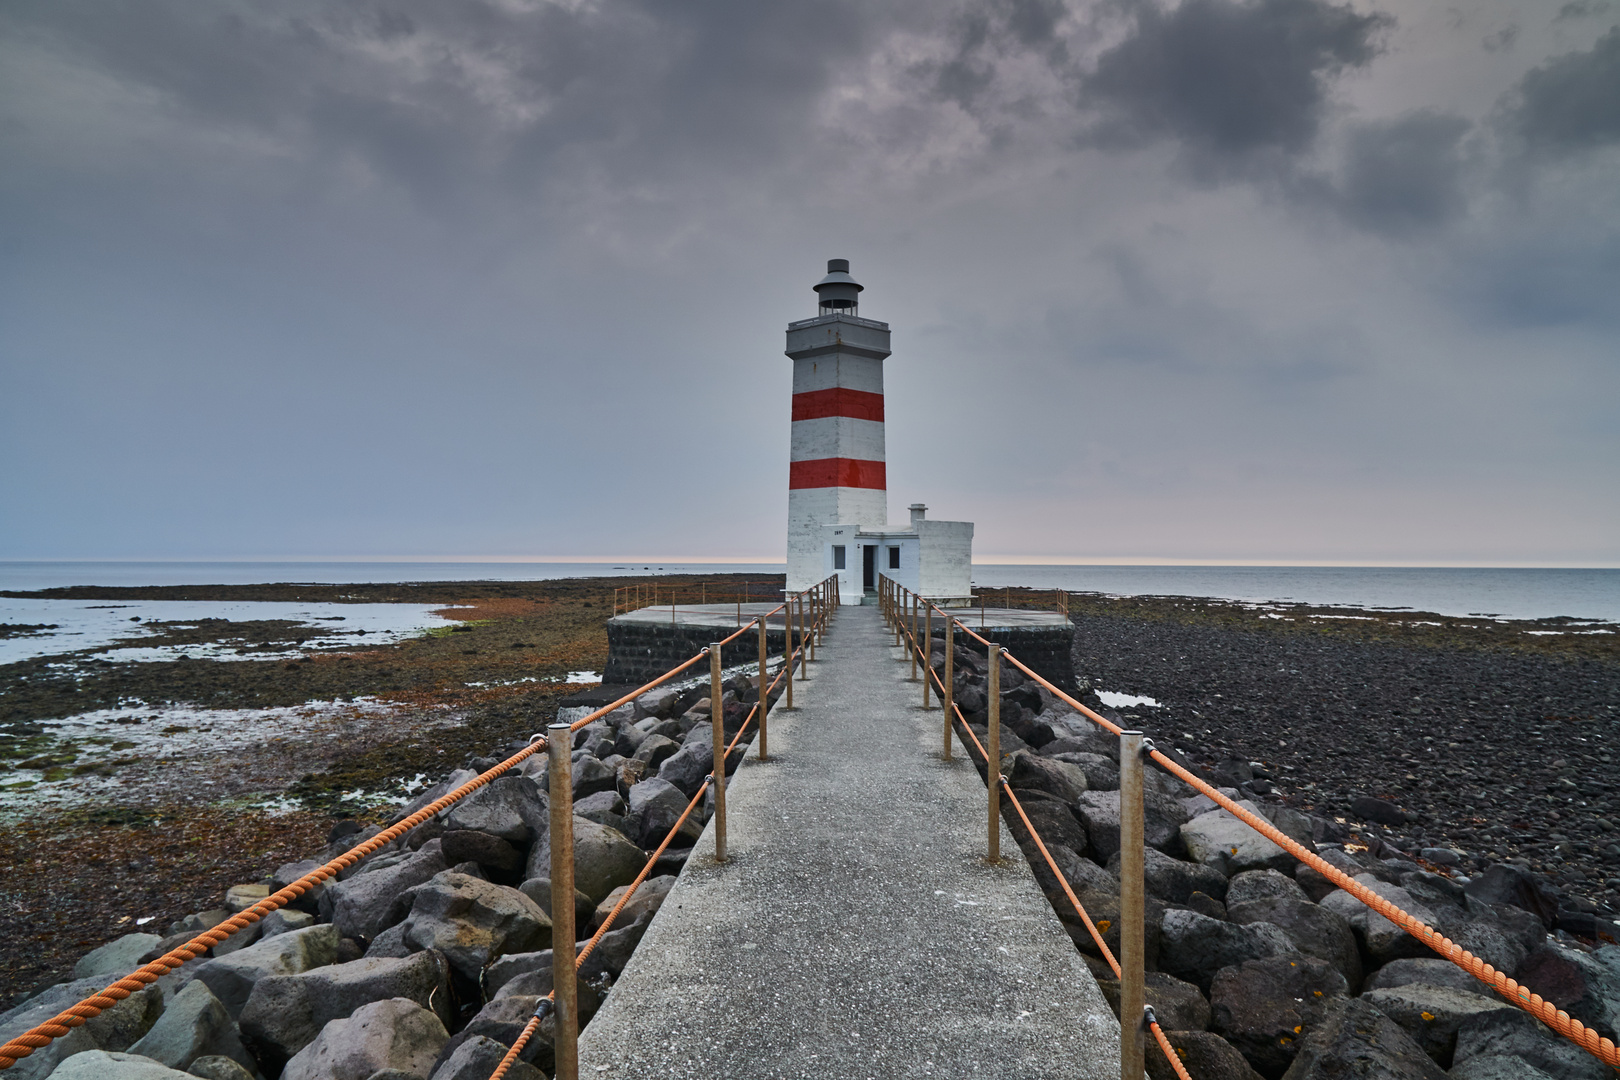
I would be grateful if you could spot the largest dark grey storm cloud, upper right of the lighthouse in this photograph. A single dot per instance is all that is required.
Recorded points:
(1230, 80)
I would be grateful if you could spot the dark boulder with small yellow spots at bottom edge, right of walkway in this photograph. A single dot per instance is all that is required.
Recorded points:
(1264, 1008)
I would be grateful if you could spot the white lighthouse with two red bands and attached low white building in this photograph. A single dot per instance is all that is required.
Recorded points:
(838, 501)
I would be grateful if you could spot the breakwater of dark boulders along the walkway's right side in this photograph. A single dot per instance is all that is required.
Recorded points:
(1258, 964)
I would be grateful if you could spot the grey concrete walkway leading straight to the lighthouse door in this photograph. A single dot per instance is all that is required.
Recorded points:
(856, 930)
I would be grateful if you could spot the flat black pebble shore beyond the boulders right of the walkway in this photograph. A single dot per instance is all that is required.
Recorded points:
(1504, 754)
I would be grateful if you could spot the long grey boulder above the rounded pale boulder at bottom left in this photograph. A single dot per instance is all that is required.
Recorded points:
(288, 1013)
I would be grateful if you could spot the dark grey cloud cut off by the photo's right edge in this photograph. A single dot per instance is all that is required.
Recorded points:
(1572, 103)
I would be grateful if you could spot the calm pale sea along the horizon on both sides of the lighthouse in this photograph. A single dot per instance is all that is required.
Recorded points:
(1503, 593)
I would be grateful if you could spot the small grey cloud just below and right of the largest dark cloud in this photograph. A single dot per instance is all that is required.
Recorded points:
(1405, 174)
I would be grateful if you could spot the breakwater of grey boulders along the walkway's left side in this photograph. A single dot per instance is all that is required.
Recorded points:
(428, 958)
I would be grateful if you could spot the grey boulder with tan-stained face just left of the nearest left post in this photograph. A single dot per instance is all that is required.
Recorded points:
(471, 921)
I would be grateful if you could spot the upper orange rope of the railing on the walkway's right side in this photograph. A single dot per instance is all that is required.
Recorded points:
(1514, 992)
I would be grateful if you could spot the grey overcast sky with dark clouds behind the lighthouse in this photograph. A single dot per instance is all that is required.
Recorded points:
(1277, 281)
